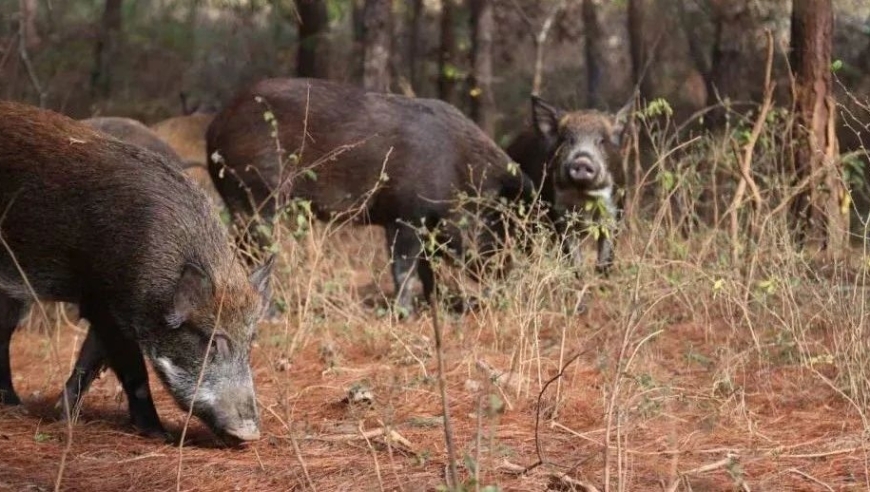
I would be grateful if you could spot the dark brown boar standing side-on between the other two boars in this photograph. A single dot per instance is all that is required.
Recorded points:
(382, 159)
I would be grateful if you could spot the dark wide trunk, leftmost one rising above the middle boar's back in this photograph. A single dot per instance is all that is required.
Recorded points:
(313, 23)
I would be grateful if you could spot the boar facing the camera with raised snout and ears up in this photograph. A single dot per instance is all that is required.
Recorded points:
(574, 159)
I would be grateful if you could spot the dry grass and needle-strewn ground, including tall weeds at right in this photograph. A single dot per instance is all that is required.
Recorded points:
(688, 370)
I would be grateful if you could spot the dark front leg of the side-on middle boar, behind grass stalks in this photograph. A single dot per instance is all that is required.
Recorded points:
(408, 265)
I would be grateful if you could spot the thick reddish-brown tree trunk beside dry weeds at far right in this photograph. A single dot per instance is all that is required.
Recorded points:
(817, 210)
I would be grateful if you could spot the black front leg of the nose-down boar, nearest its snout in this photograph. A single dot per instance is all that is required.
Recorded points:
(125, 359)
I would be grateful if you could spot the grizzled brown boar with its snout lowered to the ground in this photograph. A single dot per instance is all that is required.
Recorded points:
(117, 230)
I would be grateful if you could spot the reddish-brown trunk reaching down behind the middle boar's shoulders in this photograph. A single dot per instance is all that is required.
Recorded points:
(482, 98)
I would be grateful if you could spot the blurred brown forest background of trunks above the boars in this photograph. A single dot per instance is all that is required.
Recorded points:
(134, 58)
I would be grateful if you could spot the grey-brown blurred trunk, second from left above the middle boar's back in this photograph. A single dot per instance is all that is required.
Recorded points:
(377, 38)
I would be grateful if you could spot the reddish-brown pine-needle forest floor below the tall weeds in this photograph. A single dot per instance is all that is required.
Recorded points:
(700, 403)
